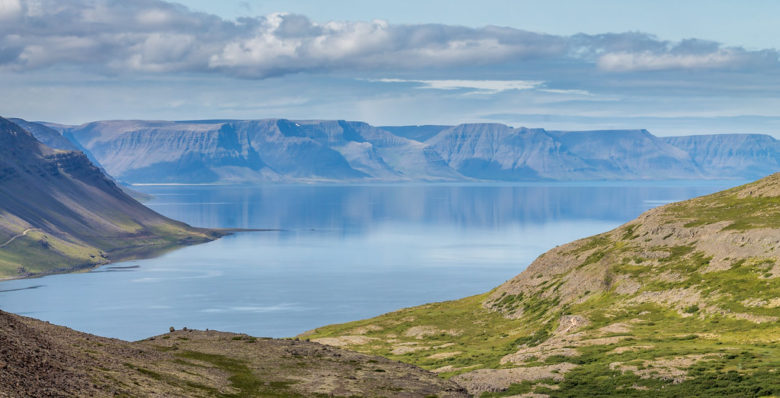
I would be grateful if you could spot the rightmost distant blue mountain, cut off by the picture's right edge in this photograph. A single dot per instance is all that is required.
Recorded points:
(732, 155)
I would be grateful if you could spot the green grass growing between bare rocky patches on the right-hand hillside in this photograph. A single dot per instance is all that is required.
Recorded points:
(735, 356)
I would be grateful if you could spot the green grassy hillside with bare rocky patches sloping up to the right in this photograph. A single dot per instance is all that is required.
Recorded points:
(682, 301)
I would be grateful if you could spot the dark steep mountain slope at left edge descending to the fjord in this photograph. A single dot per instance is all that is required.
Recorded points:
(58, 212)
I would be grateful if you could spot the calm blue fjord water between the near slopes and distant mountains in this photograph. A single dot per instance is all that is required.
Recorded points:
(341, 253)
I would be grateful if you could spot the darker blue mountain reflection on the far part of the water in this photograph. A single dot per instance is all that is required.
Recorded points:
(355, 208)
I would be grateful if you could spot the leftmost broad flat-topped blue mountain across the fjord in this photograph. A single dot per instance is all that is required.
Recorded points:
(241, 151)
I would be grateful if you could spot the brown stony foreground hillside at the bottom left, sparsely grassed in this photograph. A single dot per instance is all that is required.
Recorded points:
(39, 359)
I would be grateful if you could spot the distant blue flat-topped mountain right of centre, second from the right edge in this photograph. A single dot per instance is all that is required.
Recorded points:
(496, 151)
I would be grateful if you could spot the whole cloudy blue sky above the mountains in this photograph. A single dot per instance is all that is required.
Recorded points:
(672, 67)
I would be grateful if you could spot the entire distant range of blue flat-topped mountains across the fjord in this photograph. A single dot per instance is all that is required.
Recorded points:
(238, 151)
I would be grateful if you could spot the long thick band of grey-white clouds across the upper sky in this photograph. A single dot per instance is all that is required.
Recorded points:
(155, 36)
